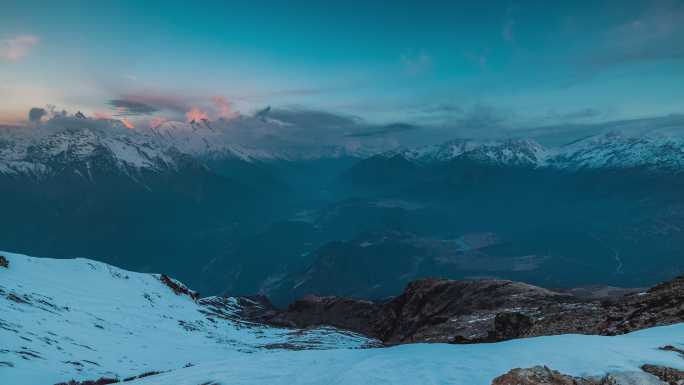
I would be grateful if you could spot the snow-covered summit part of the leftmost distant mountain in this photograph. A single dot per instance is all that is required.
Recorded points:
(80, 147)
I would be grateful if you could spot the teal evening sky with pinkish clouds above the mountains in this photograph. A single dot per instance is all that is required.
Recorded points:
(464, 65)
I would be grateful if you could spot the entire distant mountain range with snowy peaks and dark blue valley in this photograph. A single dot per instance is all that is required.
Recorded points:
(233, 219)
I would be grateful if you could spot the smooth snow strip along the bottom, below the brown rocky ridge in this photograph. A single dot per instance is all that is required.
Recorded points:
(437, 363)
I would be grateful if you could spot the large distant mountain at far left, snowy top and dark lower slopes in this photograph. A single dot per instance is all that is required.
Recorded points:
(97, 188)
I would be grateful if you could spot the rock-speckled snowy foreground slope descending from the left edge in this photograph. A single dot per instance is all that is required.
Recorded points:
(77, 318)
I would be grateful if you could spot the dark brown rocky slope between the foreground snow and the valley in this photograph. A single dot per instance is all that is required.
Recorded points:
(470, 311)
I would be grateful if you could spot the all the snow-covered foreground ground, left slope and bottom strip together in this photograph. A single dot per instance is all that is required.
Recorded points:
(63, 319)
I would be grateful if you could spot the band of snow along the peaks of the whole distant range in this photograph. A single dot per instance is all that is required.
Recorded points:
(34, 151)
